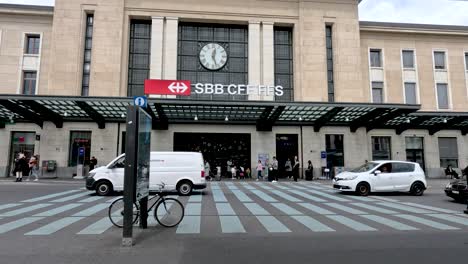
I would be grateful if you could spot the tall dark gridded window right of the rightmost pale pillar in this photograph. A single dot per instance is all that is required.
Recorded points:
(283, 45)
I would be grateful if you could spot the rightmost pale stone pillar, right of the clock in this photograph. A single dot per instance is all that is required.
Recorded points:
(268, 61)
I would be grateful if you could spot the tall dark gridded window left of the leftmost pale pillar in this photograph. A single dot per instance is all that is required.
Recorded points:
(139, 56)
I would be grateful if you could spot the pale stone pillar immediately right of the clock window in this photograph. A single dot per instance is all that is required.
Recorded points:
(254, 56)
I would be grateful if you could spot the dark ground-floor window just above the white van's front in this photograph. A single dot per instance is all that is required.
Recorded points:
(79, 139)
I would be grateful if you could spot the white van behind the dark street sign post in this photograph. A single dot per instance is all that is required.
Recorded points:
(181, 171)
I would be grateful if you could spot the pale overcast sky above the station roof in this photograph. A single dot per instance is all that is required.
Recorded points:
(448, 12)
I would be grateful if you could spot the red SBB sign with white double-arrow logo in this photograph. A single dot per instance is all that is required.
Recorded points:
(167, 87)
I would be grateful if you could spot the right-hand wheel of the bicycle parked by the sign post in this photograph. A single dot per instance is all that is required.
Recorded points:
(169, 212)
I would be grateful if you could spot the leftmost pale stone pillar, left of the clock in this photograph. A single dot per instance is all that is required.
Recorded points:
(157, 29)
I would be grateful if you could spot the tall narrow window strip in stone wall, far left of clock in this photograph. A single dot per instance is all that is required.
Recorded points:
(87, 55)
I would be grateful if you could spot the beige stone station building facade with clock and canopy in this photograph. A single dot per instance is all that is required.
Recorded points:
(350, 90)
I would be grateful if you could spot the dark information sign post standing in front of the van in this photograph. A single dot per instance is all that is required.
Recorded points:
(137, 167)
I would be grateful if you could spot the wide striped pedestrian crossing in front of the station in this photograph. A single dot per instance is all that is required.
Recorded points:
(237, 208)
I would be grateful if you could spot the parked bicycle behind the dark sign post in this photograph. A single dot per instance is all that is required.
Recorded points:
(169, 214)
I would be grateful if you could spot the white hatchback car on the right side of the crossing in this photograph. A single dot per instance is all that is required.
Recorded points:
(383, 176)
